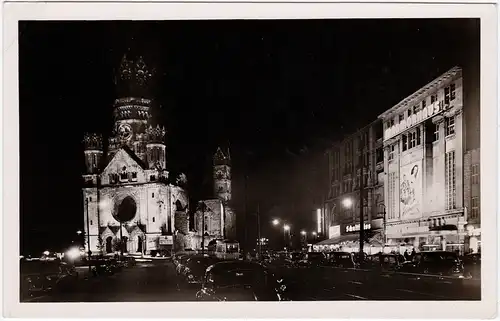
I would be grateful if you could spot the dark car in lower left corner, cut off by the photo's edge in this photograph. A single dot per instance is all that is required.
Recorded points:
(38, 277)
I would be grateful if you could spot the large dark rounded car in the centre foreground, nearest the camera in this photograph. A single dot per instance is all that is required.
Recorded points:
(240, 281)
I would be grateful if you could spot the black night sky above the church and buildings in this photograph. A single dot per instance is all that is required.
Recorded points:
(278, 92)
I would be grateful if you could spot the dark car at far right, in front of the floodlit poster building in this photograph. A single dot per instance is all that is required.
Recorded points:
(440, 263)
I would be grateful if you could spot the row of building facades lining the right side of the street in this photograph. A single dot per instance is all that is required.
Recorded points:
(419, 161)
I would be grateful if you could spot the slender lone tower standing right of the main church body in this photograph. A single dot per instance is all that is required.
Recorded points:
(222, 175)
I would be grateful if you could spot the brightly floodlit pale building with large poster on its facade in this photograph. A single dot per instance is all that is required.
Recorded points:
(424, 147)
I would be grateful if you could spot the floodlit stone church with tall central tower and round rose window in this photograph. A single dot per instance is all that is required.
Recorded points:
(130, 202)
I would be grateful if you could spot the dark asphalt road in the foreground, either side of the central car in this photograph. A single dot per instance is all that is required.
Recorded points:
(156, 281)
